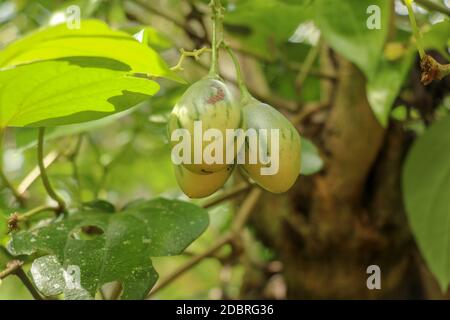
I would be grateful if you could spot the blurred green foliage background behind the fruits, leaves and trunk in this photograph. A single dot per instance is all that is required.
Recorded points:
(284, 47)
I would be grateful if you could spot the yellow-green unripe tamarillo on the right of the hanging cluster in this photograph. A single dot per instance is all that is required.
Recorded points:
(258, 115)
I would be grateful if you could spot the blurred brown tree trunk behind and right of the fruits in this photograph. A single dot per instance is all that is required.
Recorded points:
(329, 228)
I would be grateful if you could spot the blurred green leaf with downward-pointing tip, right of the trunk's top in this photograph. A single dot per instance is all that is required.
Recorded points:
(383, 88)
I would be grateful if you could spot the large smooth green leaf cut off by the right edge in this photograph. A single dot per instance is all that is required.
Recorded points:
(426, 187)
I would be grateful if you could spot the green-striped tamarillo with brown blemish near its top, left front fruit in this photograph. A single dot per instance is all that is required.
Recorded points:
(211, 102)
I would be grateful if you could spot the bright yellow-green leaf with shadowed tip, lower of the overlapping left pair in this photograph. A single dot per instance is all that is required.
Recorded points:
(61, 92)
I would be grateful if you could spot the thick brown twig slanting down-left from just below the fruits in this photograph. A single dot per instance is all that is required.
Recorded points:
(239, 222)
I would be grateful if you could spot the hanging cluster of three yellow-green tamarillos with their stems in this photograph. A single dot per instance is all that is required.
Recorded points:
(211, 101)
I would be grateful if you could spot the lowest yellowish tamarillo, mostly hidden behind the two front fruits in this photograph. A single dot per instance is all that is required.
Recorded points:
(201, 185)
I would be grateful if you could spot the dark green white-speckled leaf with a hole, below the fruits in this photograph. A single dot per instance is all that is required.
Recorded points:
(117, 248)
